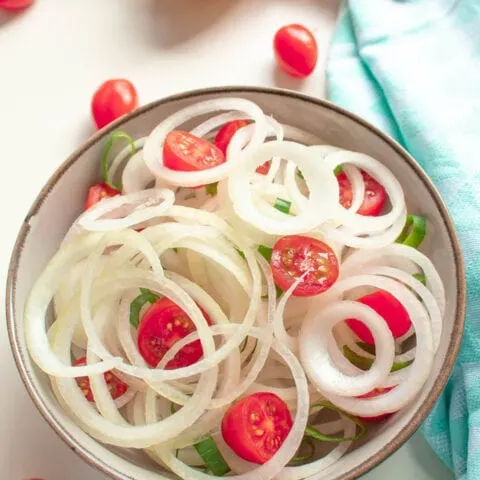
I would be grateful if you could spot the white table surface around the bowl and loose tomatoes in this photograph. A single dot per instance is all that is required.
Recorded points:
(52, 57)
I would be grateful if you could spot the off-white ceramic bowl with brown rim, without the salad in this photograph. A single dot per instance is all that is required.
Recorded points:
(62, 199)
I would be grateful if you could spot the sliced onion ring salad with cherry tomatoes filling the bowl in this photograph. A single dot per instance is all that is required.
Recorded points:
(238, 298)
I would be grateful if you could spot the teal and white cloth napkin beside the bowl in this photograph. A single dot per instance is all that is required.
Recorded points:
(412, 67)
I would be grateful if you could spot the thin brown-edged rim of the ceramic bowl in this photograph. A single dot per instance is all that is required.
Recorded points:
(19, 351)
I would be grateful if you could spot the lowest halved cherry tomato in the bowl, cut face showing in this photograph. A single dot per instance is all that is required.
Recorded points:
(256, 426)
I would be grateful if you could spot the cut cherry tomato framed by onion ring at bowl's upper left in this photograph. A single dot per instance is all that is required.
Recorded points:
(186, 152)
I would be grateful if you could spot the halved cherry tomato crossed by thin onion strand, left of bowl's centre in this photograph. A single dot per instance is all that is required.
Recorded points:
(163, 325)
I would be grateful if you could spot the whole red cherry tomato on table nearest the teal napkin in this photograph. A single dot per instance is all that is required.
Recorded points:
(296, 50)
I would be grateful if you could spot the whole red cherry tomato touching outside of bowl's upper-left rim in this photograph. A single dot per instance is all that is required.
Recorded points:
(113, 99)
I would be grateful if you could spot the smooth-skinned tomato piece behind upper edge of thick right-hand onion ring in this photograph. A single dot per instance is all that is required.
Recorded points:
(388, 307)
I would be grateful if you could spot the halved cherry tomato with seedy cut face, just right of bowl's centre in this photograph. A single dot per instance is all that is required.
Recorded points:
(294, 255)
